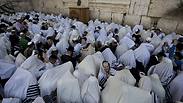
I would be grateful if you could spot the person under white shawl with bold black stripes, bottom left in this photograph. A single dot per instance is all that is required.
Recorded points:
(25, 86)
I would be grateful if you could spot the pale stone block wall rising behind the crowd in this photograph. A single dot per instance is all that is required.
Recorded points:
(160, 13)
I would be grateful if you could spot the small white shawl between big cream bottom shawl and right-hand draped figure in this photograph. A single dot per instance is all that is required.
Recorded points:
(145, 83)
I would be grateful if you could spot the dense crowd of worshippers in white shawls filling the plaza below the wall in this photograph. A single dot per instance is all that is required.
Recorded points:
(46, 58)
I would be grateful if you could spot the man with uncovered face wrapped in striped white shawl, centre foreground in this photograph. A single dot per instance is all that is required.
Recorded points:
(104, 74)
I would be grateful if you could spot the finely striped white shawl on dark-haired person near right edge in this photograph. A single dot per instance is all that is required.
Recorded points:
(164, 70)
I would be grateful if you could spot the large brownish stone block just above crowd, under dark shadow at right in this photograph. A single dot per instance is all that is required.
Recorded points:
(167, 25)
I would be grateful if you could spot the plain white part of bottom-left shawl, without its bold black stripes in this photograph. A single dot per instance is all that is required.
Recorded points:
(18, 84)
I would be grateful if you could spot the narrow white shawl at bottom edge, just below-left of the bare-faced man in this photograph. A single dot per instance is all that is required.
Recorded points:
(91, 90)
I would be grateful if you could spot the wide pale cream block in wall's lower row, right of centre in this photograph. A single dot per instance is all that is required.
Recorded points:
(132, 19)
